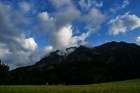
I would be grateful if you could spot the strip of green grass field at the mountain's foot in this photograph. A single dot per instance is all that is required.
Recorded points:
(128, 86)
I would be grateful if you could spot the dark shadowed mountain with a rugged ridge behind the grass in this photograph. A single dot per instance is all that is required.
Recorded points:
(83, 65)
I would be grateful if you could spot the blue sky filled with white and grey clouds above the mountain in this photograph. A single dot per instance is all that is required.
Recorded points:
(31, 29)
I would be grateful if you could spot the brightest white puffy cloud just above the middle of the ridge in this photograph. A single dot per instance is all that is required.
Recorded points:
(63, 38)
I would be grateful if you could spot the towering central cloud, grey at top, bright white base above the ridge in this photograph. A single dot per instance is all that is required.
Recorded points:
(58, 33)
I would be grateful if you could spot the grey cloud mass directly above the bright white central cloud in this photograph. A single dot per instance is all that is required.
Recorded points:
(65, 13)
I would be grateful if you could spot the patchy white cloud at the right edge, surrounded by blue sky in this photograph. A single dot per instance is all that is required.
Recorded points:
(124, 23)
